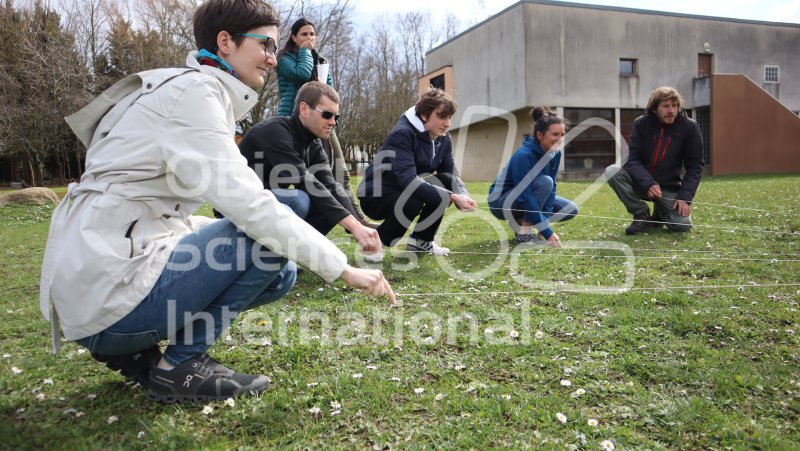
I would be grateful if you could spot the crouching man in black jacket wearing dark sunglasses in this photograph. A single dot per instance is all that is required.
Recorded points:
(287, 151)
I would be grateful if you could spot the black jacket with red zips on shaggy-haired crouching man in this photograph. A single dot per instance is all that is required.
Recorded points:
(659, 151)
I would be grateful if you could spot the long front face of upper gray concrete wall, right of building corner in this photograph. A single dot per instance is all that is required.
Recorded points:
(573, 54)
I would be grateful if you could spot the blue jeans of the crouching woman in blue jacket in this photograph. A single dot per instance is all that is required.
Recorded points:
(553, 208)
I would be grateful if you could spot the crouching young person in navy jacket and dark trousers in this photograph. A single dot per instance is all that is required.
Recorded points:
(414, 175)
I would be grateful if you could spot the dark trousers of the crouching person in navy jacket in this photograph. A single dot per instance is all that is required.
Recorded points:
(399, 211)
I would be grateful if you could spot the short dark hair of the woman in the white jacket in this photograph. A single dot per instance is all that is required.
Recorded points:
(233, 16)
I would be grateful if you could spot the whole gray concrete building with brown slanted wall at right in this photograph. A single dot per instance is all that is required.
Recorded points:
(597, 66)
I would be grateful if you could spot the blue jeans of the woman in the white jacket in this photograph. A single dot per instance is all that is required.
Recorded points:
(212, 275)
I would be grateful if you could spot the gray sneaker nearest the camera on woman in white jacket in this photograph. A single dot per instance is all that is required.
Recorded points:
(202, 378)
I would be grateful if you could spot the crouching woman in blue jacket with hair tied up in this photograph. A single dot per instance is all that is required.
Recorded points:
(524, 193)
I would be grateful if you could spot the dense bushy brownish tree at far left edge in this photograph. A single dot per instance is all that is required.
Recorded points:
(36, 93)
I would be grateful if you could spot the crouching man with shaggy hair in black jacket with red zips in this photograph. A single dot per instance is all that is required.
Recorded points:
(663, 141)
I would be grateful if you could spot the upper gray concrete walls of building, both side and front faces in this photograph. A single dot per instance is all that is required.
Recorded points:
(542, 53)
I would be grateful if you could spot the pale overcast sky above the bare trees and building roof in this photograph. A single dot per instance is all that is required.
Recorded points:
(470, 12)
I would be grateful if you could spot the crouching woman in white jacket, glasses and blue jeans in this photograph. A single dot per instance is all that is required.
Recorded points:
(126, 263)
